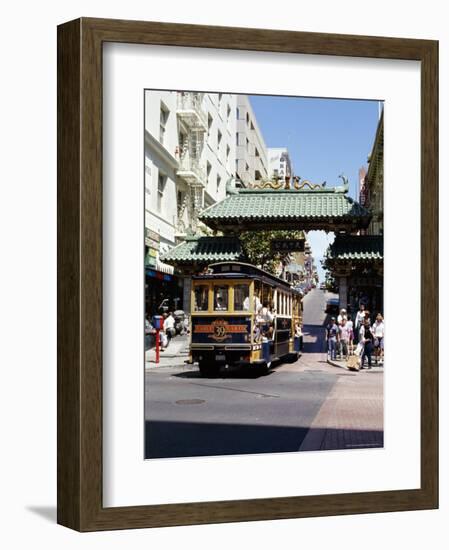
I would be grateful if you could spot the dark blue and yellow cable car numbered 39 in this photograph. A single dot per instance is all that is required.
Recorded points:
(243, 316)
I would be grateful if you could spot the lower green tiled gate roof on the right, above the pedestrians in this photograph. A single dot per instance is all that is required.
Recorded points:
(356, 248)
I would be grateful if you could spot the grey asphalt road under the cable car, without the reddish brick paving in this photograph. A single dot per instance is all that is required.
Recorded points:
(187, 415)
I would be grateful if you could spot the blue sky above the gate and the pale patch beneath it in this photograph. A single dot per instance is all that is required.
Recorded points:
(325, 138)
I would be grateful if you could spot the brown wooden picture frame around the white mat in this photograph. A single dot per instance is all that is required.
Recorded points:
(80, 274)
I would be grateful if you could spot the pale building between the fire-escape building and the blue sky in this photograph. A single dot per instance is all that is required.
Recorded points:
(251, 163)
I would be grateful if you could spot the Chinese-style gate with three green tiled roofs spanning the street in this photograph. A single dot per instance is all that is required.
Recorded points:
(294, 205)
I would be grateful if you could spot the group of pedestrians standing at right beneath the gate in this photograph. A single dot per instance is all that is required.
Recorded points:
(360, 337)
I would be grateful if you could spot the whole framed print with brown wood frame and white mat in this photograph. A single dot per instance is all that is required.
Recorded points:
(247, 315)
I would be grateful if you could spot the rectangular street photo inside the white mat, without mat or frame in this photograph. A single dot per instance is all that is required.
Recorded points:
(264, 303)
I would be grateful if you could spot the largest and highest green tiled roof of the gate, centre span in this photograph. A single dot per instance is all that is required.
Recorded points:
(285, 207)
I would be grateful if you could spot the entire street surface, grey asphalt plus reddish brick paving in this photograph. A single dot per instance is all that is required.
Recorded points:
(307, 405)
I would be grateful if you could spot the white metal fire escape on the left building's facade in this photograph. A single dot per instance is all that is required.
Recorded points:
(191, 141)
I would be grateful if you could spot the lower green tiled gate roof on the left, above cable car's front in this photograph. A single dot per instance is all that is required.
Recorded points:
(205, 250)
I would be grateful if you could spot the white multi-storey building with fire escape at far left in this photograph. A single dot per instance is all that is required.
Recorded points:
(190, 152)
